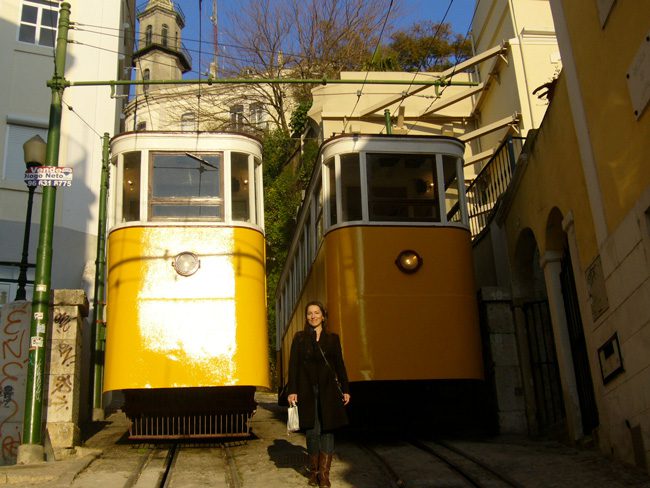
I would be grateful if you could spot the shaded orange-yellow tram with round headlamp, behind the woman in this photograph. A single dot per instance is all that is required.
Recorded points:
(383, 240)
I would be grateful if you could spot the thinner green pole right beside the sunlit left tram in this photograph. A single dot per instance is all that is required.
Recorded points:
(99, 330)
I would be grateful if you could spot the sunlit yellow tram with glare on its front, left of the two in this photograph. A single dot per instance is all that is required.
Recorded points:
(187, 339)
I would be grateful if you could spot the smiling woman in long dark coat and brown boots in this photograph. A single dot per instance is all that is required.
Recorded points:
(317, 378)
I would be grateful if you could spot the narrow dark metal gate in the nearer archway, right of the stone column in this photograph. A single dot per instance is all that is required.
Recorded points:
(584, 384)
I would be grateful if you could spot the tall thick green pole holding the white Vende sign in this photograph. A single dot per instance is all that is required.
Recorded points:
(31, 449)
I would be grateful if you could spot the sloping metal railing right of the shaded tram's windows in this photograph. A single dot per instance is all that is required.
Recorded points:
(491, 183)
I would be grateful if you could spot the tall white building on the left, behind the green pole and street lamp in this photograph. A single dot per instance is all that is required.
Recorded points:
(102, 35)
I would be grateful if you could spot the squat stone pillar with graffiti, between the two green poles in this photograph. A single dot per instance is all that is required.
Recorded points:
(64, 368)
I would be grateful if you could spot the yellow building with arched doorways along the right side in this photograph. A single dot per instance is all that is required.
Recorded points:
(576, 226)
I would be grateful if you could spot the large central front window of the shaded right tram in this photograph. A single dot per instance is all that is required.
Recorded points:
(402, 187)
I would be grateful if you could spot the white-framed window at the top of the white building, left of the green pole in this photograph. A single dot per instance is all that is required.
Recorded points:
(38, 22)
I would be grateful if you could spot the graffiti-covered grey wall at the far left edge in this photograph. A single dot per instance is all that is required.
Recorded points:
(14, 357)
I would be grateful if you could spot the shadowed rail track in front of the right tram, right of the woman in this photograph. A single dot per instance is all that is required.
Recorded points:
(420, 463)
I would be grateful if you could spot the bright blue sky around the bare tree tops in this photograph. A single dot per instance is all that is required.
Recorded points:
(459, 15)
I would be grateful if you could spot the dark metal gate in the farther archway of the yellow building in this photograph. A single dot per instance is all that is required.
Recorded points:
(546, 378)
